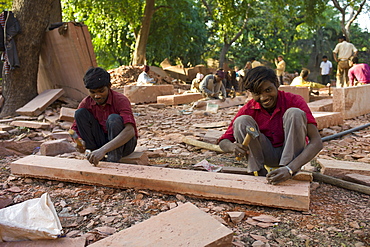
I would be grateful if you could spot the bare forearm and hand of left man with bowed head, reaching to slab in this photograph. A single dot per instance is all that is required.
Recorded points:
(121, 139)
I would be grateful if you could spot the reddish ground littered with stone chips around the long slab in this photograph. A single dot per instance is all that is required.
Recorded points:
(337, 217)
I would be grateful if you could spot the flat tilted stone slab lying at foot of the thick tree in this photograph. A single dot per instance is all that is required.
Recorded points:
(37, 105)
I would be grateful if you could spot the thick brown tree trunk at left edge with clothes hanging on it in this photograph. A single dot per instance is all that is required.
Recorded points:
(20, 85)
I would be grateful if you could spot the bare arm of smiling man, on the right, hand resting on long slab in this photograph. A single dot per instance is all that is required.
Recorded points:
(308, 153)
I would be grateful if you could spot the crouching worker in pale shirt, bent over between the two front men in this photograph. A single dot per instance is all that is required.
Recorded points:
(211, 86)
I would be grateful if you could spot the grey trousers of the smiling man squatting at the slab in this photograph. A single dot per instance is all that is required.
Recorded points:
(261, 151)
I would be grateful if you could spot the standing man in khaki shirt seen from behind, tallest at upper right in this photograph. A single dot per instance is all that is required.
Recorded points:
(342, 52)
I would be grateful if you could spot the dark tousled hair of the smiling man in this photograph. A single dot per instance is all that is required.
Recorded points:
(256, 76)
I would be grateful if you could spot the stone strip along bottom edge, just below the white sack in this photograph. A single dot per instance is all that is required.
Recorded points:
(59, 242)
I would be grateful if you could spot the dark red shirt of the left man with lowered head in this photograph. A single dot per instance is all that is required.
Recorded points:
(117, 103)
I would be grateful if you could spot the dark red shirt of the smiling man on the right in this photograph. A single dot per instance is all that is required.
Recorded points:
(271, 125)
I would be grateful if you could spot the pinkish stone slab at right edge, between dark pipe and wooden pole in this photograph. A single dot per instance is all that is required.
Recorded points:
(339, 168)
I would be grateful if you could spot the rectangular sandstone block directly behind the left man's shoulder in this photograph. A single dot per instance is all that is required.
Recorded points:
(146, 94)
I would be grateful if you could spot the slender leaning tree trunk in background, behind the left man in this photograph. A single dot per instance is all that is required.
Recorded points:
(142, 38)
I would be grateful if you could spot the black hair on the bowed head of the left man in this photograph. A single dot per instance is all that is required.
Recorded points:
(96, 77)
